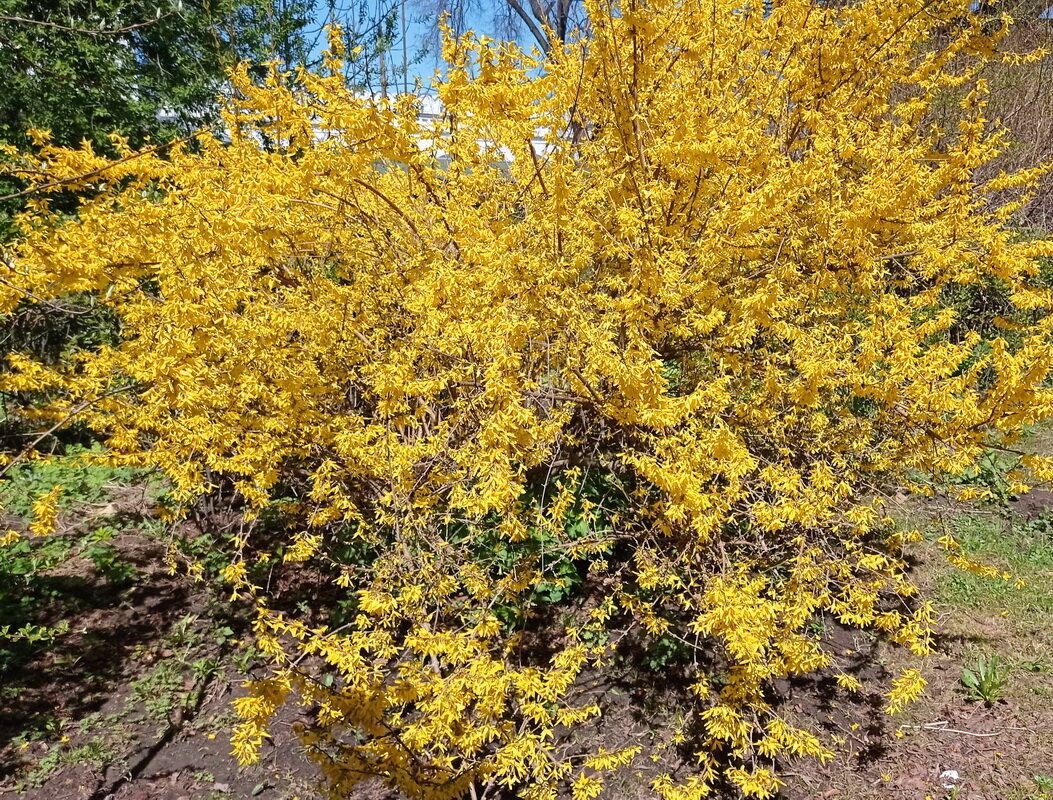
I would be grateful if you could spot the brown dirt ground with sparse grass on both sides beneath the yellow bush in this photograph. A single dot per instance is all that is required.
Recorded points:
(90, 686)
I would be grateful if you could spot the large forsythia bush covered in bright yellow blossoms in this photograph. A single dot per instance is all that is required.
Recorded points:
(654, 369)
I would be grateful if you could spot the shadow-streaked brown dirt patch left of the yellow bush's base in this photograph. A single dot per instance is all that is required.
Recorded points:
(115, 711)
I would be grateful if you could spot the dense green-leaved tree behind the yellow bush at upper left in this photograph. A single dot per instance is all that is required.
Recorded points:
(150, 70)
